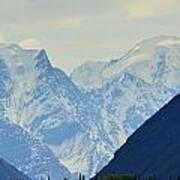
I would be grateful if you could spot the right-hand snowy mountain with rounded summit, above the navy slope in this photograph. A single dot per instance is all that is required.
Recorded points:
(131, 90)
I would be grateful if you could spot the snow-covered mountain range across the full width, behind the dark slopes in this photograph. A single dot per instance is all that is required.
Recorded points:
(83, 119)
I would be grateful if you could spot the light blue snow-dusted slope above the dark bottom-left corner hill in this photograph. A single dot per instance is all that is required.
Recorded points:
(28, 154)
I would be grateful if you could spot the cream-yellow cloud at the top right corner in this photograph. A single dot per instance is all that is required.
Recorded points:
(140, 9)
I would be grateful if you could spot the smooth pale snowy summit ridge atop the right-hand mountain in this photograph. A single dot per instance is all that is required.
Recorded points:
(144, 54)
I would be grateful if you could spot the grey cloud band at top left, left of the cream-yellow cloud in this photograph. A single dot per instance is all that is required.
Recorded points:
(41, 10)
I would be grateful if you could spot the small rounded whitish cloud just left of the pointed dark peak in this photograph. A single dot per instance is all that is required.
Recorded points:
(30, 44)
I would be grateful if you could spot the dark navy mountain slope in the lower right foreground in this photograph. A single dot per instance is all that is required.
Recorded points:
(153, 148)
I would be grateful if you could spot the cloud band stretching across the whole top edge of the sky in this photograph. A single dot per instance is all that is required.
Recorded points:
(41, 10)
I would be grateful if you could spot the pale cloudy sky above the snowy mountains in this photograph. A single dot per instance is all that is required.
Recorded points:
(76, 31)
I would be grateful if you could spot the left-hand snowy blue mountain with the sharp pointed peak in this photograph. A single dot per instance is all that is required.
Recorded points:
(43, 100)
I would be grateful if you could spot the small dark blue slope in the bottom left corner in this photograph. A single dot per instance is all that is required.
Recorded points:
(7, 172)
